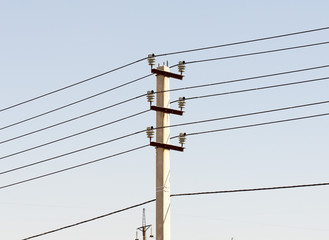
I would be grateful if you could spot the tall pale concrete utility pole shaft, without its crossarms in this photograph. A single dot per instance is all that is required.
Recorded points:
(163, 158)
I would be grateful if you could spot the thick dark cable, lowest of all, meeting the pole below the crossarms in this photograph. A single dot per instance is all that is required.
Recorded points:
(180, 195)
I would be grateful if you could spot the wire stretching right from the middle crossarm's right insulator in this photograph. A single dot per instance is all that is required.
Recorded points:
(255, 89)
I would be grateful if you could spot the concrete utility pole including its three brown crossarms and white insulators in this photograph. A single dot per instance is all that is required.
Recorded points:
(163, 148)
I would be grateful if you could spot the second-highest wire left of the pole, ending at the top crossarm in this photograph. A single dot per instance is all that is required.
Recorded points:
(76, 102)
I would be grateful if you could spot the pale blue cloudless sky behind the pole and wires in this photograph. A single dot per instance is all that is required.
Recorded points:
(46, 45)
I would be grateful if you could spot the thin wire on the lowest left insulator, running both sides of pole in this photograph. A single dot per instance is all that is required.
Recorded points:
(179, 125)
